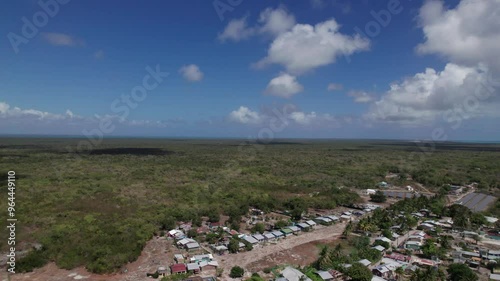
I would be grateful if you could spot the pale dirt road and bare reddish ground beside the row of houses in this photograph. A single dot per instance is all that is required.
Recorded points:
(288, 250)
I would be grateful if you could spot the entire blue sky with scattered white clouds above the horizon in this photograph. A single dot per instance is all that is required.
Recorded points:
(416, 74)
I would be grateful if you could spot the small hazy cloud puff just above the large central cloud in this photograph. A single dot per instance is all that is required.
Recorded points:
(275, 21)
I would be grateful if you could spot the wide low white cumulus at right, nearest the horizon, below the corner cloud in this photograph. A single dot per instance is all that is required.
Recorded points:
(430, 94)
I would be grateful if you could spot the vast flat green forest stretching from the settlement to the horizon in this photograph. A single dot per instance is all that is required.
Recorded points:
(97, 206)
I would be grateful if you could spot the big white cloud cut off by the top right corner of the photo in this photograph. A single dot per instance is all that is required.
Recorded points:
(468, 34)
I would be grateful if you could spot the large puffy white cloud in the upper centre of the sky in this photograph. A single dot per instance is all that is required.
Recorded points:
(307, 47)
